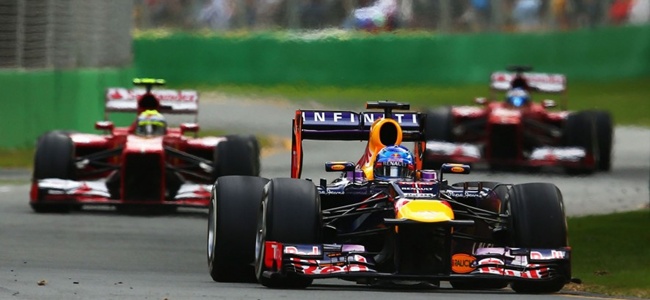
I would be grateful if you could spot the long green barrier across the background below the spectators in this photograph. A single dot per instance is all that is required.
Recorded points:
(390, 59)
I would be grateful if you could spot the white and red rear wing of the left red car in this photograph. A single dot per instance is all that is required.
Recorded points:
(171, 101)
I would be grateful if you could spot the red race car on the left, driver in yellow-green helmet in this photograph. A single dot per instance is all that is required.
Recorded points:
(145, 165)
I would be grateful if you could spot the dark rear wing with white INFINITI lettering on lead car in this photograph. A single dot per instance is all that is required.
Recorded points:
(350, 126)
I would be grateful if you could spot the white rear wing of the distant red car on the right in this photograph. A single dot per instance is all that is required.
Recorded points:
(542, 82)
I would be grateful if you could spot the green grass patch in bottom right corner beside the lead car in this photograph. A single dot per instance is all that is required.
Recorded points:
(610, 253)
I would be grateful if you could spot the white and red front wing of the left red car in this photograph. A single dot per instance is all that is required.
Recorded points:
(60, 191)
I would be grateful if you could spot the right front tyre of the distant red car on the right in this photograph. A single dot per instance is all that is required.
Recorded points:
(580, 131)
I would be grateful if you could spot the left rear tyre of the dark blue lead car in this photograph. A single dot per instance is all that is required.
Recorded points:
(232, 225)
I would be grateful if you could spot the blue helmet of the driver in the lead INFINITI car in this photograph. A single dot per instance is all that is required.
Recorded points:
(394, 162)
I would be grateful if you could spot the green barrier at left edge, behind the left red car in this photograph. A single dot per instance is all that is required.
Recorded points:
(37, 101)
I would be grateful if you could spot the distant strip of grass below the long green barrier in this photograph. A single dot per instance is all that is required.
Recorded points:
(627, 100)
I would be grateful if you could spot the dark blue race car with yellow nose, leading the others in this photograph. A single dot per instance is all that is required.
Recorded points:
(384, 221)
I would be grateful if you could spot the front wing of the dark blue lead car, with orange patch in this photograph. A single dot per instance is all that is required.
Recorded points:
(352, 262)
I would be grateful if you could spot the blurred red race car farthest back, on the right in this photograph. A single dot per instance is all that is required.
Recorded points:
(519, 132)
